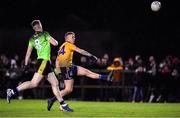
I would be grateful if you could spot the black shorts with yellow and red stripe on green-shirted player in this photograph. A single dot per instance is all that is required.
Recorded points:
(43, 67)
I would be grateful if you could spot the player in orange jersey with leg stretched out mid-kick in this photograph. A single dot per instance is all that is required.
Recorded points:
(68, 70)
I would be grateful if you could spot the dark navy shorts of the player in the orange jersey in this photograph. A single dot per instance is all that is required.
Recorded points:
(68, 72)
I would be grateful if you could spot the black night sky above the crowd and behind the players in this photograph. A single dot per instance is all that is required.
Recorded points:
(120, 28)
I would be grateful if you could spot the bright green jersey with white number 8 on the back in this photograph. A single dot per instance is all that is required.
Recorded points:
(41, 43)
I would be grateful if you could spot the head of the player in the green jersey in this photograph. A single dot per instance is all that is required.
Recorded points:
(37, 26)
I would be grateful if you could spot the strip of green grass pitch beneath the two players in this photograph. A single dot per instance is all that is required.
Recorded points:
(37, 108)
